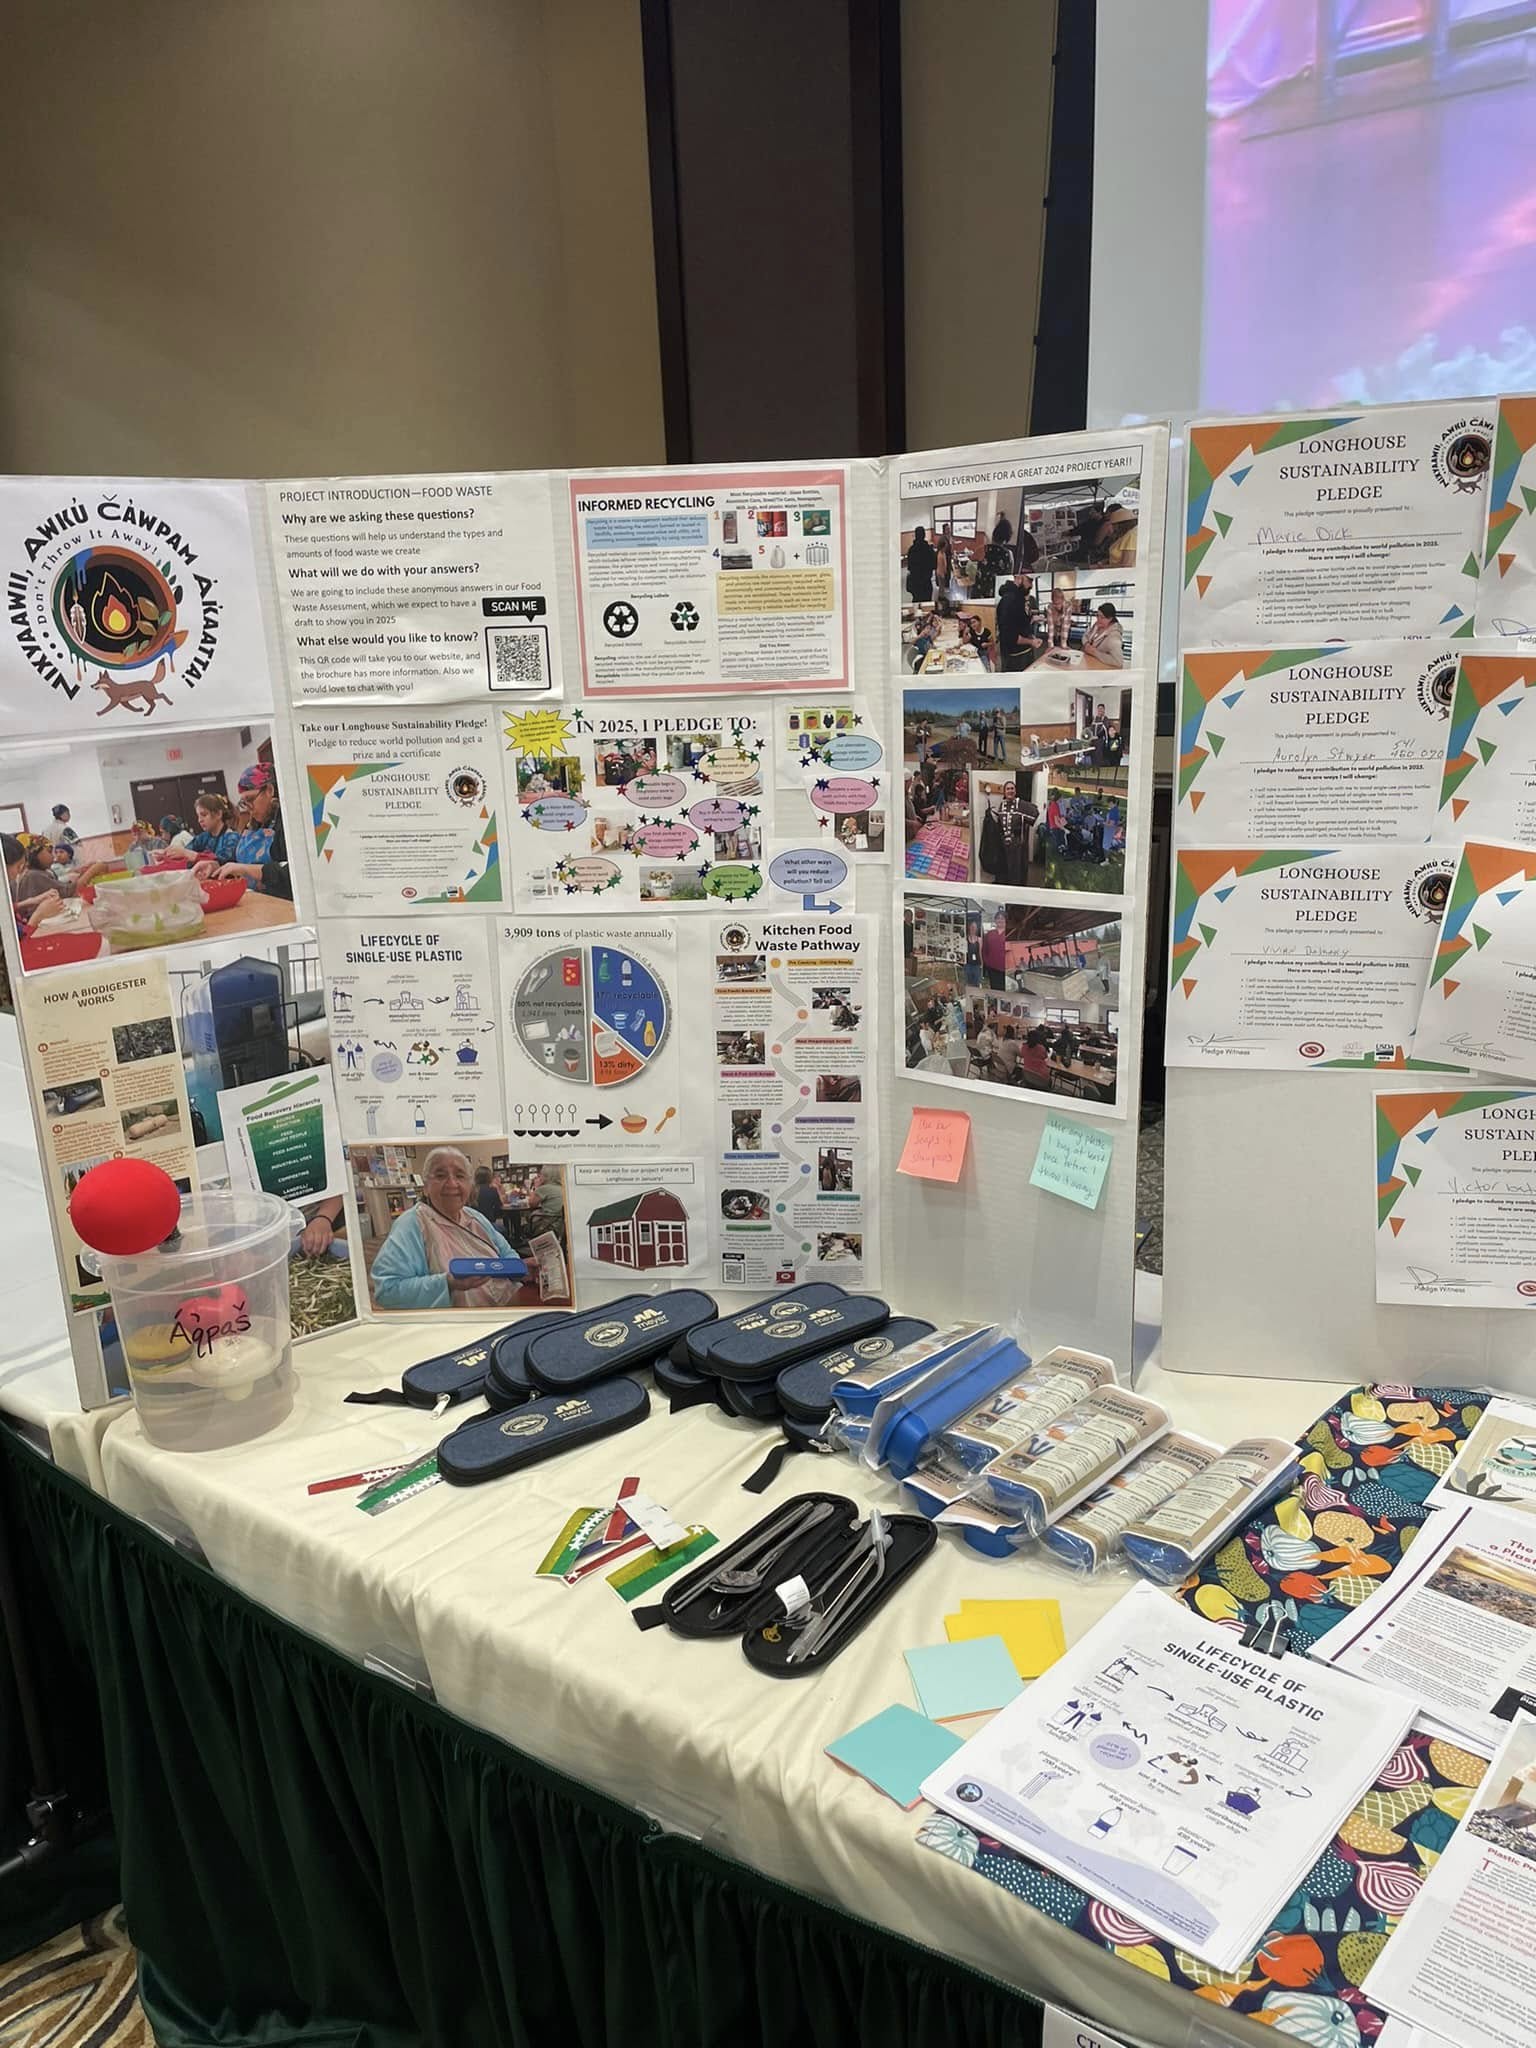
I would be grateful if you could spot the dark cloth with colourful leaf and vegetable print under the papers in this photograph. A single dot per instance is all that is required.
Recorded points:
(1326, 1547)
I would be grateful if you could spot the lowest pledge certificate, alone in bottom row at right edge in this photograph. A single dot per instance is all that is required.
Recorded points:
(1457, 1199)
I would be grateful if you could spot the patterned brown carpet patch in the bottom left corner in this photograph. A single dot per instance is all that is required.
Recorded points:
(77, 1992)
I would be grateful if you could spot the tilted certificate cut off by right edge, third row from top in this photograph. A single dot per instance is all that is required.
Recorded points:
(1480, 1007)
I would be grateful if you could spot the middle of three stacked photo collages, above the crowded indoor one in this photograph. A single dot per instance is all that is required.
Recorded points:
(1023, 806)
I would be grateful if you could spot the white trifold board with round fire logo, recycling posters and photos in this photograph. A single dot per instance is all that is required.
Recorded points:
(728, 876)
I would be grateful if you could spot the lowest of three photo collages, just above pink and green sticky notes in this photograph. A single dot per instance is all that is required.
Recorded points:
(1013, 996)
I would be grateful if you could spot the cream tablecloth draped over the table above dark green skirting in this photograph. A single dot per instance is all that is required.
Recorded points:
(683, 1732)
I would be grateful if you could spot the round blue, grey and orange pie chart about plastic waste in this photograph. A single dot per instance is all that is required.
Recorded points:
(591, 1015)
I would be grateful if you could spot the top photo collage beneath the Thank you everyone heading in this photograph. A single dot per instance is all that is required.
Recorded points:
(1007, 579)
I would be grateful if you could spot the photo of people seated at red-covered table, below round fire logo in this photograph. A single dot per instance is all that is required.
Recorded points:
(130, 845)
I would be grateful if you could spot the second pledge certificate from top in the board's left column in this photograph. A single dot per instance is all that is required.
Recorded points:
(1297, 744)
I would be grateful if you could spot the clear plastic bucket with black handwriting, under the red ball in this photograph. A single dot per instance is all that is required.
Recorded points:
(206, 1324)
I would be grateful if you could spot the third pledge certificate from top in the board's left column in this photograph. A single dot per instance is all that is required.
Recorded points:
(1302, 957)
